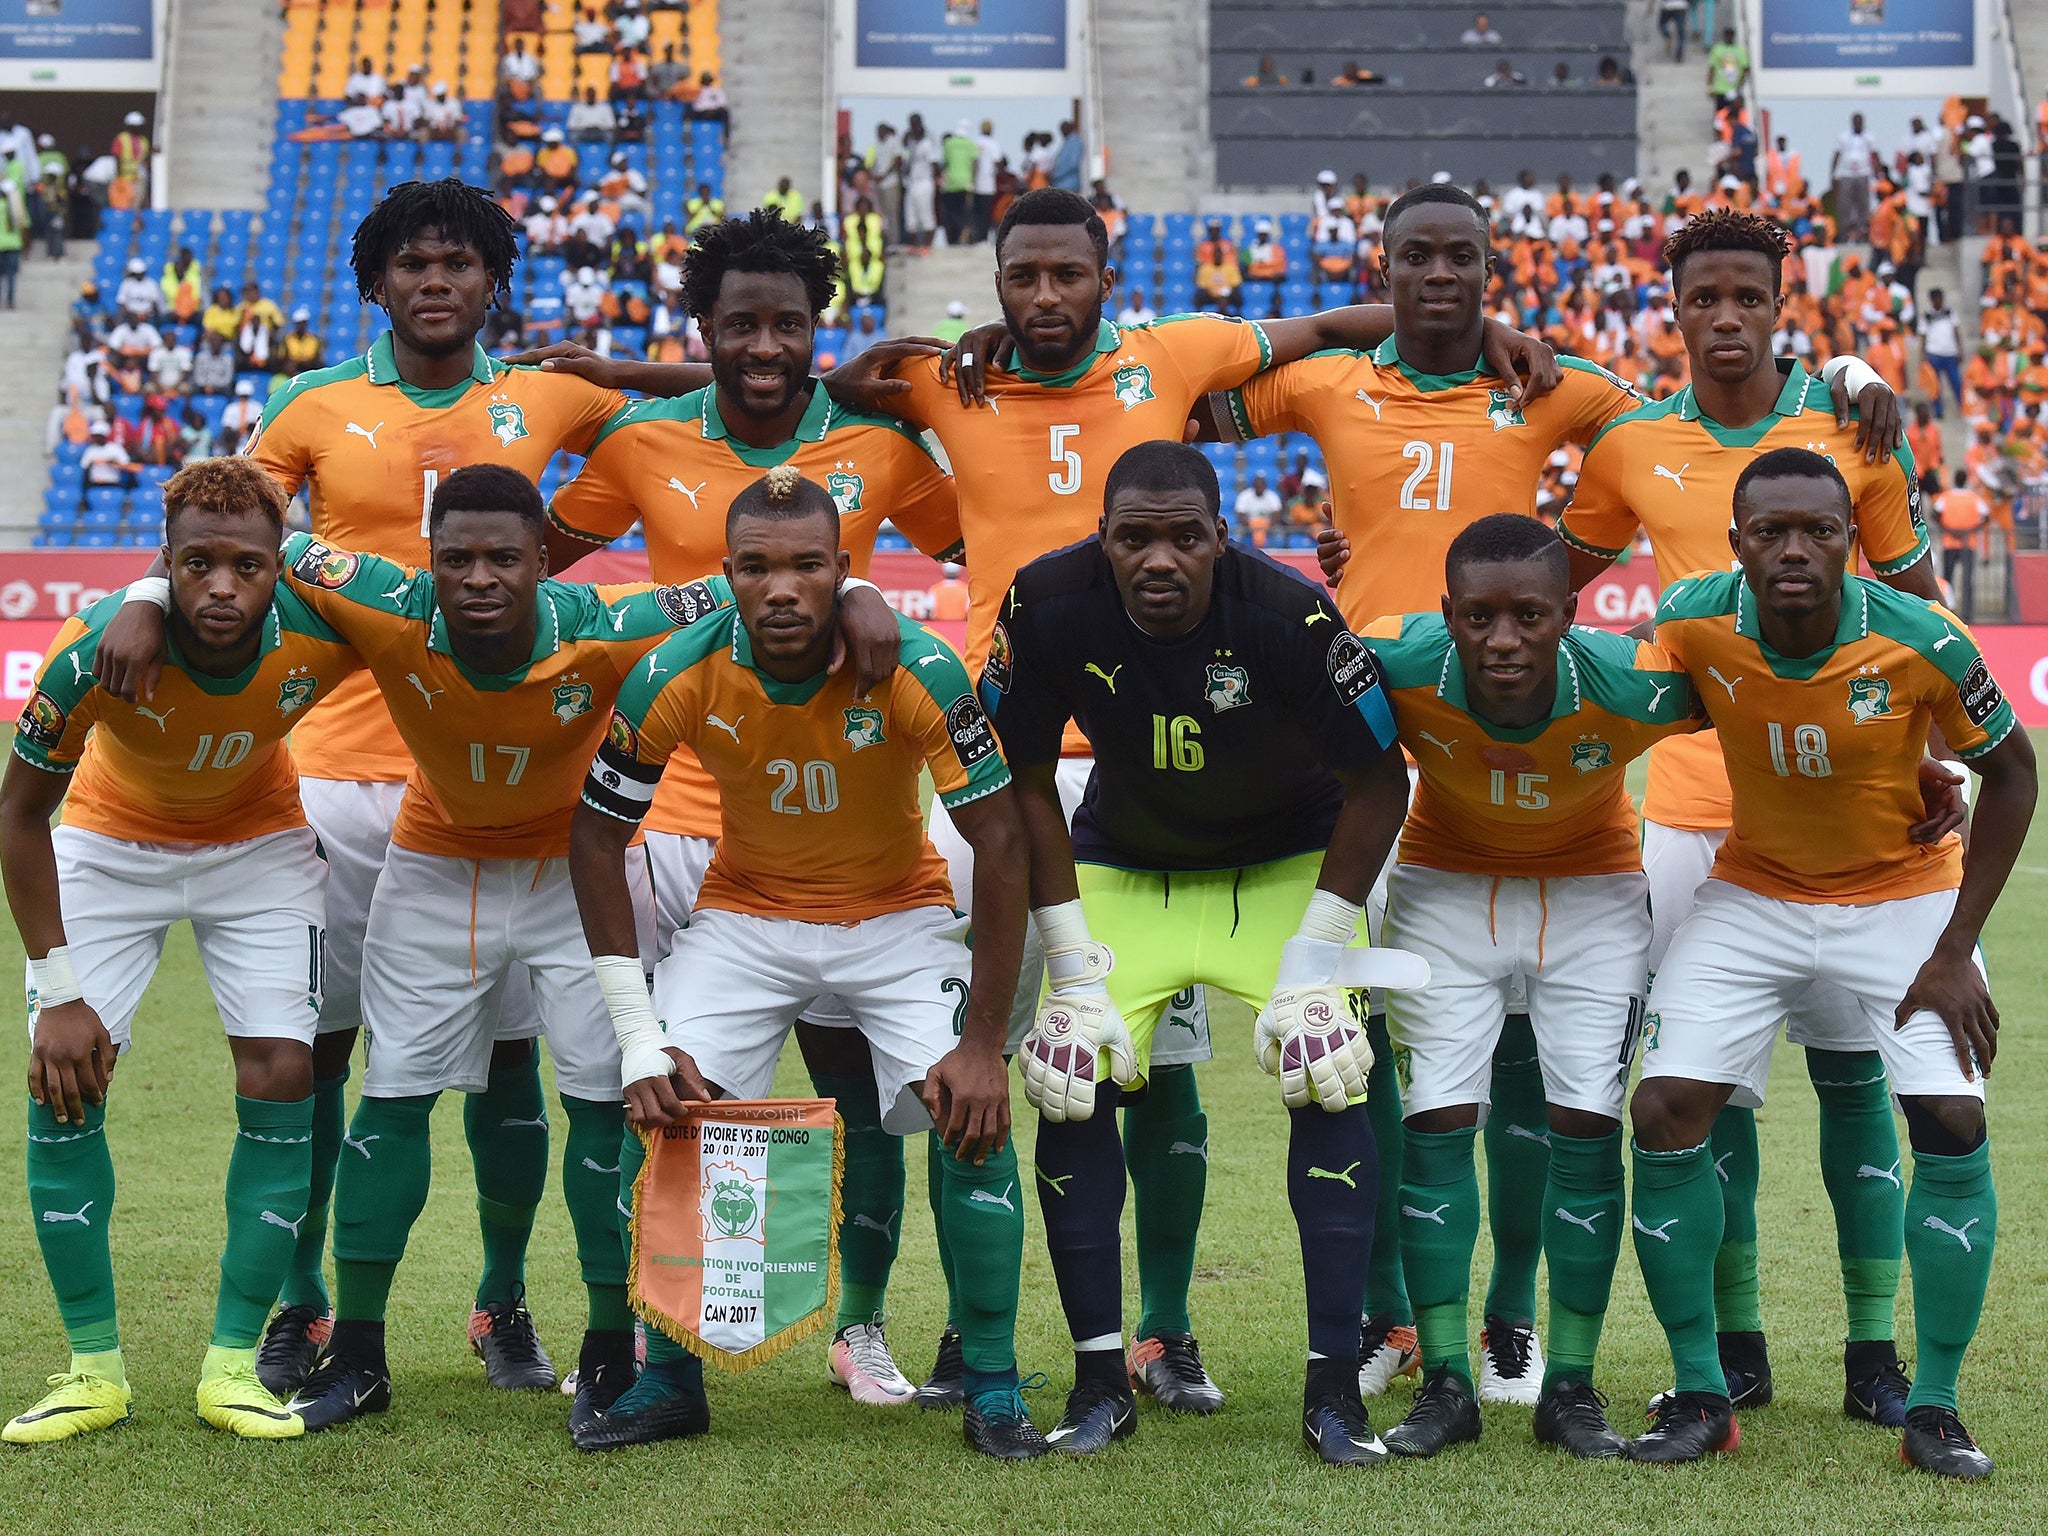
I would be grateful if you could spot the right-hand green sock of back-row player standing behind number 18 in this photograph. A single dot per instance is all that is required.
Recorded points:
(1861, 1168)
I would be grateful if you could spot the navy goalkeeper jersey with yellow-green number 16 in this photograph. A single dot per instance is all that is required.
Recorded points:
(1213, 751)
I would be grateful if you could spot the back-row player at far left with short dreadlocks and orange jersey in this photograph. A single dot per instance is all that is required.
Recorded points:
(370, 439)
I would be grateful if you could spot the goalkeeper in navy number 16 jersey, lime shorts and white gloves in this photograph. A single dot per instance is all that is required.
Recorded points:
(1240, 732)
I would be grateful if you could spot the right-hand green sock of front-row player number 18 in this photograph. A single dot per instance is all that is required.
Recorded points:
(1953, 1228)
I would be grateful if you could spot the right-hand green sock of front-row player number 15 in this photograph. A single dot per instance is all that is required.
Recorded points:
(1584, 1209)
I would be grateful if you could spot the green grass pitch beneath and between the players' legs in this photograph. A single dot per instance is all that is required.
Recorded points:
(787, 1453)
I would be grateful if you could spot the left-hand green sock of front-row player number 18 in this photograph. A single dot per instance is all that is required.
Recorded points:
(1678, 1234)
